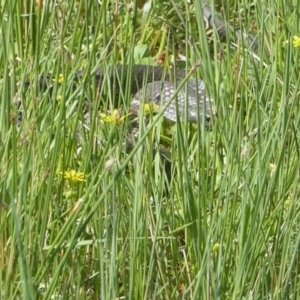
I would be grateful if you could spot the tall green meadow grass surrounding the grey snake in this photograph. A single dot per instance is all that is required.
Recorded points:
(97, 220)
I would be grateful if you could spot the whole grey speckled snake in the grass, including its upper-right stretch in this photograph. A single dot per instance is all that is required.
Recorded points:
(179, 97)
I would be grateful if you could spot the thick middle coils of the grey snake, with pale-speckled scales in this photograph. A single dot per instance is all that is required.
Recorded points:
(152, 84)
